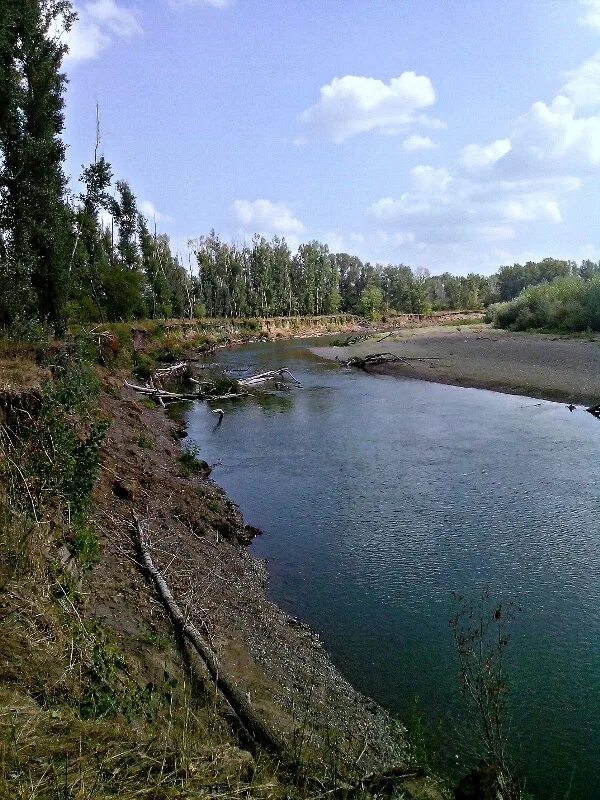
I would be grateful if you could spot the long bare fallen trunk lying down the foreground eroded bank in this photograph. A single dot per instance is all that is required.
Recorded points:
(237, 699)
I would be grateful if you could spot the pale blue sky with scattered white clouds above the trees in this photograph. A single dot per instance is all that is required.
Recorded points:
(449, 134)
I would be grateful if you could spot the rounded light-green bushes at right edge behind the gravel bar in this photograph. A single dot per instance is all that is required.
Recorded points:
(566, 305)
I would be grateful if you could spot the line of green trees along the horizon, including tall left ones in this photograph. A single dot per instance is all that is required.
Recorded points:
(93, 256)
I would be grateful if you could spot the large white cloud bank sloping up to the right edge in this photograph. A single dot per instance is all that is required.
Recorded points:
(495, 189)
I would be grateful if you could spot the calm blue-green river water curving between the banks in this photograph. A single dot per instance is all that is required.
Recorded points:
(379, 497)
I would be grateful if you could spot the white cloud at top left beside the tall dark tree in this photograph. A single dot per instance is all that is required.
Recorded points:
(99, 23)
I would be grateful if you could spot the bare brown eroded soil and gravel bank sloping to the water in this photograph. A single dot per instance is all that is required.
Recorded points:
(198, 538)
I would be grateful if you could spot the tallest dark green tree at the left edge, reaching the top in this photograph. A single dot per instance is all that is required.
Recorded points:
(35, 222)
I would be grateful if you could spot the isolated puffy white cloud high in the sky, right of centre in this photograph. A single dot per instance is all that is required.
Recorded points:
(353, 104)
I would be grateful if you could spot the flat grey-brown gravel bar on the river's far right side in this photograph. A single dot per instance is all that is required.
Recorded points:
(535, 365)
